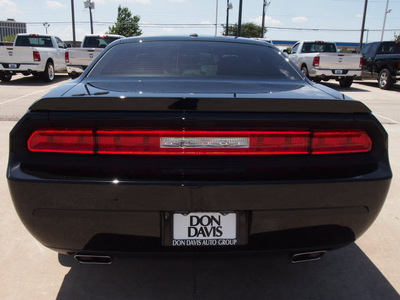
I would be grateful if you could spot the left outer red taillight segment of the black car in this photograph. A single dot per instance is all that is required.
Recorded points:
(62, 141)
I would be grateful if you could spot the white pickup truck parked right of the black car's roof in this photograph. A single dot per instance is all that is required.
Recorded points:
(320, 60)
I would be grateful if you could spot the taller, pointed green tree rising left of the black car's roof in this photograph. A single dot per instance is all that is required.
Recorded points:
(126, 25)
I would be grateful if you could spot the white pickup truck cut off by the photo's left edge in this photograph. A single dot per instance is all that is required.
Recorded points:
(41, 55)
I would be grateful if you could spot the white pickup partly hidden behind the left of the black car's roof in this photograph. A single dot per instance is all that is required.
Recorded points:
(92, 46)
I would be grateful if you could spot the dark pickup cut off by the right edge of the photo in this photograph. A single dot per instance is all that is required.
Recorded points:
(382, 62)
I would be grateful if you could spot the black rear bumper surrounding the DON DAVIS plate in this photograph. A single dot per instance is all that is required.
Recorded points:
(112, 216)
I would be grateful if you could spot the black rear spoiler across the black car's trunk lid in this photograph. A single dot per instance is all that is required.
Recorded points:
(146, 104)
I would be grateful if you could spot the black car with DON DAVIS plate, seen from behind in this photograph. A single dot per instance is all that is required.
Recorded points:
(180, 144)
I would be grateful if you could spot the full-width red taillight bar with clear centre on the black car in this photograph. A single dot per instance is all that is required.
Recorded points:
(178, 142)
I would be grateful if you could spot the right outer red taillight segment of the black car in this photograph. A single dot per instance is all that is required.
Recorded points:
(331, 142)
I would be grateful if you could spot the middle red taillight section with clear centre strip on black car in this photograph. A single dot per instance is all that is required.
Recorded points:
(203, 142)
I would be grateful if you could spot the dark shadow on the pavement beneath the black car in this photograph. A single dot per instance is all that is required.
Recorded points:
(346, 273)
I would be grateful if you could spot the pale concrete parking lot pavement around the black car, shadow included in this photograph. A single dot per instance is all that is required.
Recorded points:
(367, 269)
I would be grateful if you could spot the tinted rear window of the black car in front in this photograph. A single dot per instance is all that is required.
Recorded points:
(194, 59)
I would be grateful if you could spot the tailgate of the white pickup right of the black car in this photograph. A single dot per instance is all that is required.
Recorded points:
(339, 61)
